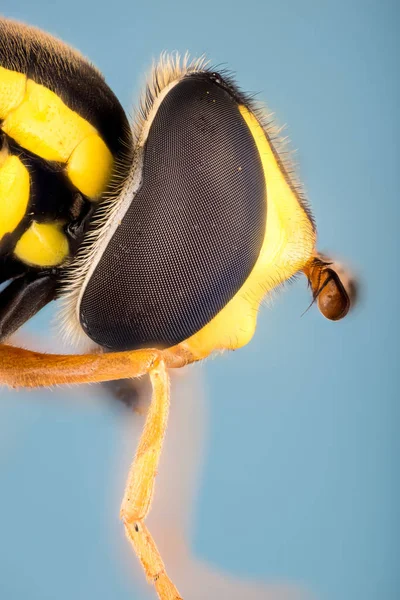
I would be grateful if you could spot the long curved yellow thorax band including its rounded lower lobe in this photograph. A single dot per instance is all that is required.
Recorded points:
(38, 120)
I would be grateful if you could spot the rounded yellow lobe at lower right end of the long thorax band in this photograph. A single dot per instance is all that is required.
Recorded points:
(89, 167)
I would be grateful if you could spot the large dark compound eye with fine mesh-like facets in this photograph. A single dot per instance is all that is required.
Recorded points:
(193, 230)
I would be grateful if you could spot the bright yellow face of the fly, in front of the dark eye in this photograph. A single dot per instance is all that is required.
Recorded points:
(288, 244)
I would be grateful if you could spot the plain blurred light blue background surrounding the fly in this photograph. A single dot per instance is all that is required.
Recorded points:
(300, 478)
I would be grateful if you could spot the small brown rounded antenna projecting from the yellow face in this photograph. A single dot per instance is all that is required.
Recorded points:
(333, 286)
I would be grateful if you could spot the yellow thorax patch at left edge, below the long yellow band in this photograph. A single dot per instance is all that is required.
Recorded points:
(14, 192)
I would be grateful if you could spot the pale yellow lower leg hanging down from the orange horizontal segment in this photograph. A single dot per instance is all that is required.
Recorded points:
(140, 484)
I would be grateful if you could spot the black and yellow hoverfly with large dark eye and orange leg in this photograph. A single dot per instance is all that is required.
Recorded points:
(160, 239)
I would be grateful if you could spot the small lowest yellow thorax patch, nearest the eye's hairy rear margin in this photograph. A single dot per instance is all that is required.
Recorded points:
(43, 245)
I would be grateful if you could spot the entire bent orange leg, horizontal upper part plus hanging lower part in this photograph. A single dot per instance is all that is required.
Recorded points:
(19, 367)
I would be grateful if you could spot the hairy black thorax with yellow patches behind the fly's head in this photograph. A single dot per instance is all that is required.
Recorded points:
(61, 131)
